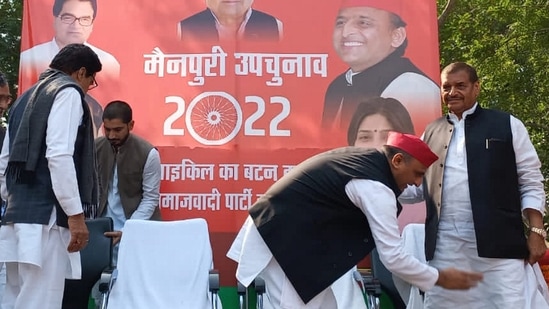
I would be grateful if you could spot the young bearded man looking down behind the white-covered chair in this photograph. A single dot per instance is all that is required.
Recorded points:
(129, 171)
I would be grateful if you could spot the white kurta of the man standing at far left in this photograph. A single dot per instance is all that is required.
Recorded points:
(34, 244)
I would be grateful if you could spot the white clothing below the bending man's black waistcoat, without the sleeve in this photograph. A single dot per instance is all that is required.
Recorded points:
(254, 258)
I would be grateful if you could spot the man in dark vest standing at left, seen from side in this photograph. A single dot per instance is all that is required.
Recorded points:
(48, 177)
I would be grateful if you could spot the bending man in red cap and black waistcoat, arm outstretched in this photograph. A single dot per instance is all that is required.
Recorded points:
(309, 230)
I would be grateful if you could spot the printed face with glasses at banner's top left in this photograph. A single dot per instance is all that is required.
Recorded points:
(74, 23)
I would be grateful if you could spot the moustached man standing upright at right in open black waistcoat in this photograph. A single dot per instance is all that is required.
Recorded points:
(485, 185)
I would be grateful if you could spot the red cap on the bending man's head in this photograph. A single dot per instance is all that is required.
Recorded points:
(412, 145)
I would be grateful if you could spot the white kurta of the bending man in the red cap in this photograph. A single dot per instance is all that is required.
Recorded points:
(378, 203)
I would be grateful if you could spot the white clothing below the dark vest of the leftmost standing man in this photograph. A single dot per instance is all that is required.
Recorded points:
(37, 263)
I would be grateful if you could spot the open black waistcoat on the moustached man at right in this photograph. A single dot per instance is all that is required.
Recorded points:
(493, 184)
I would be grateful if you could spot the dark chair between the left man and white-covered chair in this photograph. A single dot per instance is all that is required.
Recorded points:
(95, 258)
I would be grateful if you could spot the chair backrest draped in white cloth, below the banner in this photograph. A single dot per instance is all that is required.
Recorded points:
(163, 264)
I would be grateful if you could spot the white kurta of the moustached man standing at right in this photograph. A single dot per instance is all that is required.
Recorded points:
(456, 240)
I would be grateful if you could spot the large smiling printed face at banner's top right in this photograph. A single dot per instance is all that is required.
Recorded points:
(363, 36)
